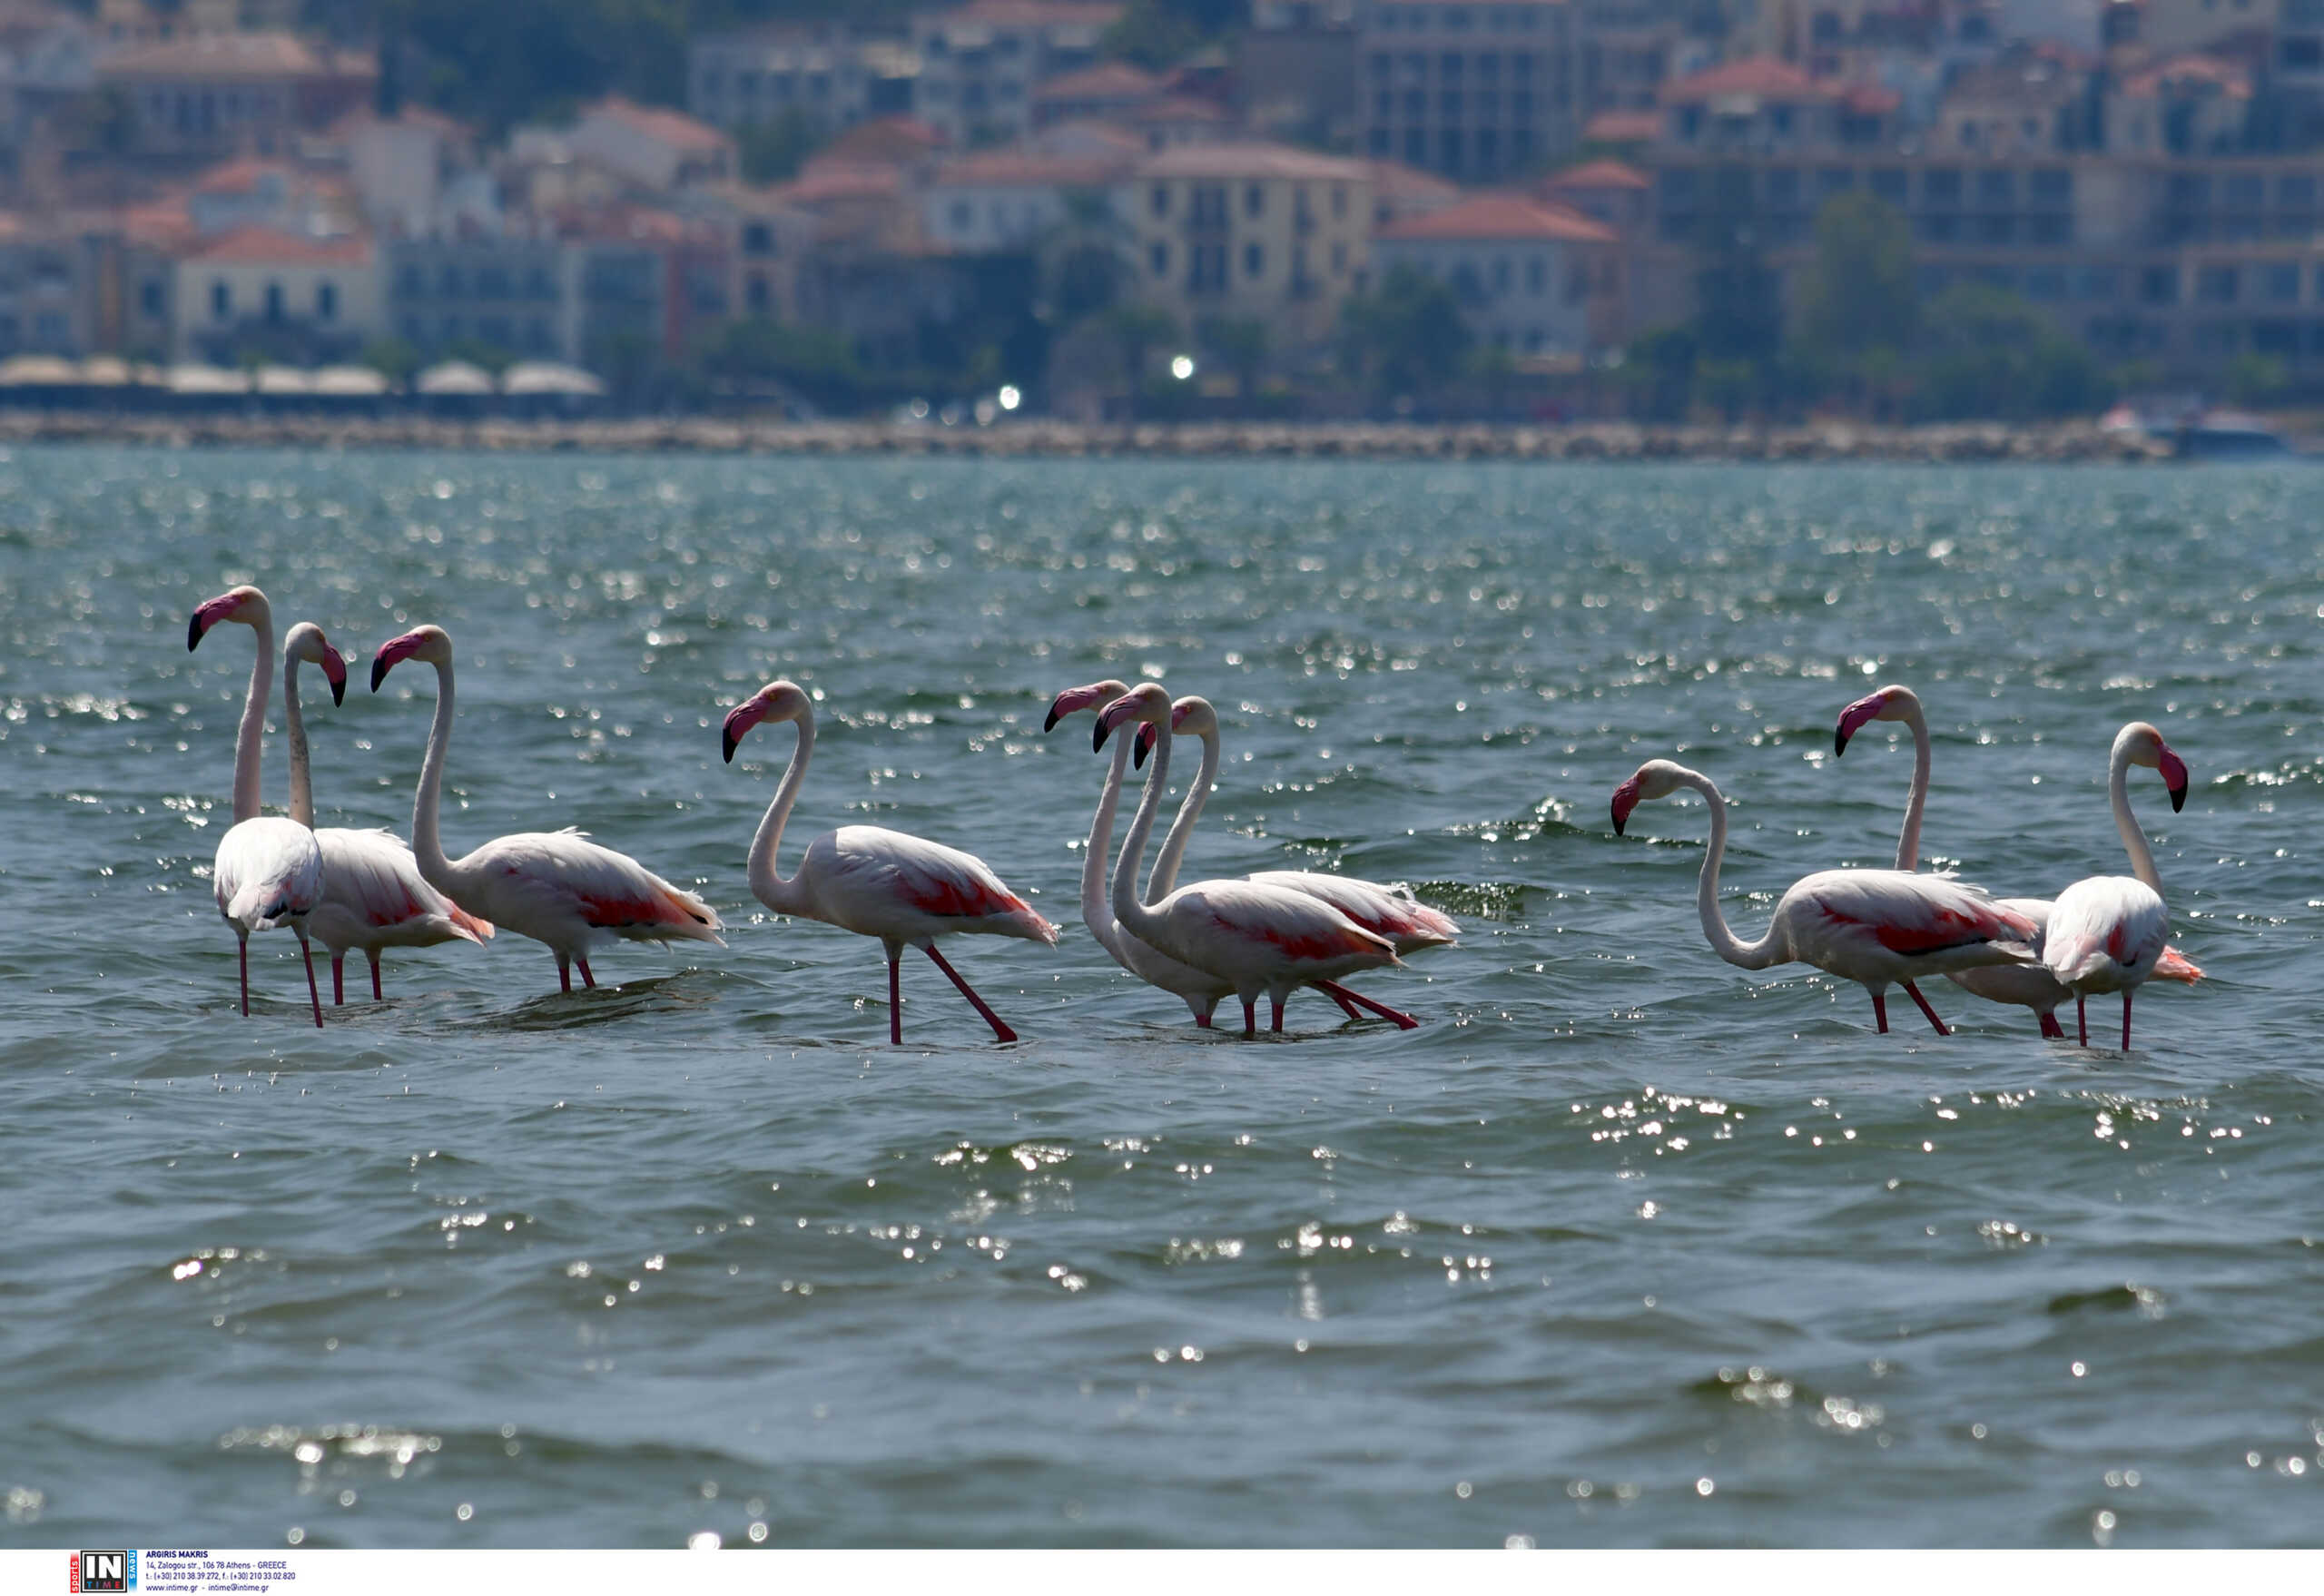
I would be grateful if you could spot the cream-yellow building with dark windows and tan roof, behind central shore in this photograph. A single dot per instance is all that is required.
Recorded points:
(1256, 231)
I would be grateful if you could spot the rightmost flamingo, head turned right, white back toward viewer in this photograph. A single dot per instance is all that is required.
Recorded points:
(2109, 933)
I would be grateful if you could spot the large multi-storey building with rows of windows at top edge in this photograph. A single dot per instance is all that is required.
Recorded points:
(1468, 89)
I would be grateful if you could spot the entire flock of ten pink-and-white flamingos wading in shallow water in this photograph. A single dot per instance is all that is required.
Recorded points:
(1265, 935)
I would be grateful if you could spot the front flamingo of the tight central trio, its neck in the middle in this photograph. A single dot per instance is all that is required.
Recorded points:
(1251, 935)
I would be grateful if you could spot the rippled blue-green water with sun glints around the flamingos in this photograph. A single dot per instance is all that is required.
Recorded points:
(1623, 1246)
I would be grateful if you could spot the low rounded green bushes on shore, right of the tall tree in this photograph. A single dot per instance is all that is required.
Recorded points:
(1991, 357)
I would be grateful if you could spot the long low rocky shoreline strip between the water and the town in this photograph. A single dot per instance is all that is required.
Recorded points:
(1203, 440)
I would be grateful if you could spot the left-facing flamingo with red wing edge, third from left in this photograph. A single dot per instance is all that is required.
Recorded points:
(557, 889)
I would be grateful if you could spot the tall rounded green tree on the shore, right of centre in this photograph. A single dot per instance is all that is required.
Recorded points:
(1860, 303)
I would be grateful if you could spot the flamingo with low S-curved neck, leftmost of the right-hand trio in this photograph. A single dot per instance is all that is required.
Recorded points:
(1879, 928)
